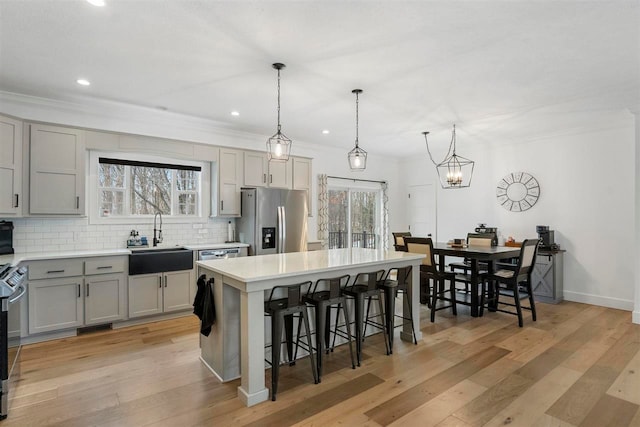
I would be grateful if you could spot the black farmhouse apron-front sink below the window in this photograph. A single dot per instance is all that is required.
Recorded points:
(159, 260)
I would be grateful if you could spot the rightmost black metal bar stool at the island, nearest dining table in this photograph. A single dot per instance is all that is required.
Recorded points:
(391, 288)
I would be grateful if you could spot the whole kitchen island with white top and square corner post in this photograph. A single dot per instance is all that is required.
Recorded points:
(235, 346)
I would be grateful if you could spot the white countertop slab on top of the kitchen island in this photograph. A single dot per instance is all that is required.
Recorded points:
(260, 267)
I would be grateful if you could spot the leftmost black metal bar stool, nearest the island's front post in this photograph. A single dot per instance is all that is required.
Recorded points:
(281, 310)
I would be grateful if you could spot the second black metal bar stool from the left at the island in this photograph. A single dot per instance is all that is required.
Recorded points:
(322, 296)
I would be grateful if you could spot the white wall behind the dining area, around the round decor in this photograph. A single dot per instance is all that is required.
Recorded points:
(587, 197)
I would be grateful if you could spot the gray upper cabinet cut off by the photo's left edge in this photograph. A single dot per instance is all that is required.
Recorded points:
(10, 167)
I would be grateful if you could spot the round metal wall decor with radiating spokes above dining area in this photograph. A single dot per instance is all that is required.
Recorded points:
(518, 191)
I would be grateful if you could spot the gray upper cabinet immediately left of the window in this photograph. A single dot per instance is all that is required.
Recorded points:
(57, 170)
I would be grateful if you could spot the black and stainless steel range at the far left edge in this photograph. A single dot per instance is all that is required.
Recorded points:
(12, 289)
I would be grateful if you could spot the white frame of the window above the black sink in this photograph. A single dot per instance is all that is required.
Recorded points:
(204, 191)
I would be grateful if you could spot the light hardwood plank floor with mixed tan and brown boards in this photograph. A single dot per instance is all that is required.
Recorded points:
(578, 365)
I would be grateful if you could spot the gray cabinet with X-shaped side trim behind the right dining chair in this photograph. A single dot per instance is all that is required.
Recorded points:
(547, 277)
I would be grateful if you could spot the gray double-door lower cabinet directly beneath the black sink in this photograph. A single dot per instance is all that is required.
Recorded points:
(160, 293)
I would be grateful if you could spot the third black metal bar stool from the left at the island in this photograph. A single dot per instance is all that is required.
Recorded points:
(366, 285)
